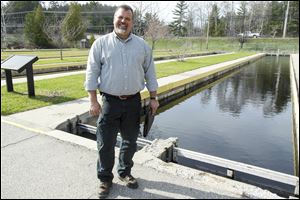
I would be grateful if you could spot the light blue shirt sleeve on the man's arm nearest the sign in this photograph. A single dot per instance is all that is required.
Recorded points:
(93, 68)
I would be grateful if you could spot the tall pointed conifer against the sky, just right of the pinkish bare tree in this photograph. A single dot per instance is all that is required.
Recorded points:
(178, 26)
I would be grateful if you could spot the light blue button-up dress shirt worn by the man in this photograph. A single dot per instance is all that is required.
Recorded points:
(120, 67)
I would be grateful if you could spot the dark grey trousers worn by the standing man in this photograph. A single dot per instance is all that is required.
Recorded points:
(117, 116)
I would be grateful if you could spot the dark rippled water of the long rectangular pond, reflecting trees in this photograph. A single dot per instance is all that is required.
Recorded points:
(245, 117)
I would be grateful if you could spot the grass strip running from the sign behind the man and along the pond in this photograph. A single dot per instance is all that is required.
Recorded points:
(58, 90)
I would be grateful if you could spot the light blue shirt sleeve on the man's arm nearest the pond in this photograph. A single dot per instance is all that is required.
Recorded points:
(149, 69)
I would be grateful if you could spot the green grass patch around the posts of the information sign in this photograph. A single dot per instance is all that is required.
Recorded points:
(48, 92)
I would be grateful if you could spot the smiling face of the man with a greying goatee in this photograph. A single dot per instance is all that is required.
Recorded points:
(123, 23)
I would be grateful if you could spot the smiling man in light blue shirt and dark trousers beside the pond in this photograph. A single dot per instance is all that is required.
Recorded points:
(118, 65)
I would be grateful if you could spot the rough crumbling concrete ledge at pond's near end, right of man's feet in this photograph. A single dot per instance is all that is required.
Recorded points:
(149, 158)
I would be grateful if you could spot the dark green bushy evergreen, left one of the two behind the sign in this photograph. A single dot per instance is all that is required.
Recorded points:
(34, 28)
